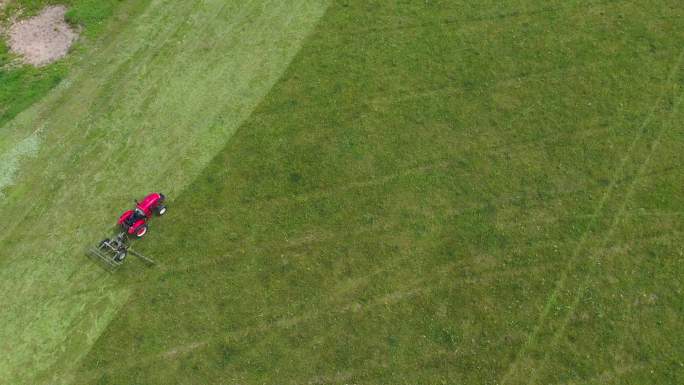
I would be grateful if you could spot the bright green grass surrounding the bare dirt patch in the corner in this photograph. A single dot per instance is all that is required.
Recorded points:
(23, 85)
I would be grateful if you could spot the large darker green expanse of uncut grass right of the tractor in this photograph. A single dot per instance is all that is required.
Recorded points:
(435, 192)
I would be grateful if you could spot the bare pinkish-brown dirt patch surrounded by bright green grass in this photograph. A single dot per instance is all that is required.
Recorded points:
(43, 38)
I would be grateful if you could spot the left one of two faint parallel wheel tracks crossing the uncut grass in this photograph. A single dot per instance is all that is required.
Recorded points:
(571, 261)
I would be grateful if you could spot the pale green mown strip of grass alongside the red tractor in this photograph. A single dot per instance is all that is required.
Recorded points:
(179, 107)
